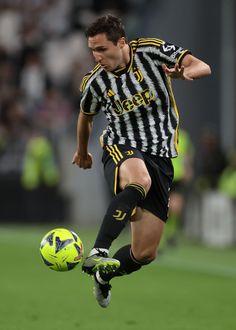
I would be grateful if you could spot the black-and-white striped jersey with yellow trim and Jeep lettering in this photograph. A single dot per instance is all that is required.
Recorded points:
(137, 100)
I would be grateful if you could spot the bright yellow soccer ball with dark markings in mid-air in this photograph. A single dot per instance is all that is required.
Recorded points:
(61, 249)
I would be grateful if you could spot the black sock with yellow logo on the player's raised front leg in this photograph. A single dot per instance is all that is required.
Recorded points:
(118, 214)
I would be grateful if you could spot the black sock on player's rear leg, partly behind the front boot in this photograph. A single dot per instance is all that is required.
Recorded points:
(128, 264)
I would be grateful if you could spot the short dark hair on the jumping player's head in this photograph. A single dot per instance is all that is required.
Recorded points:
(112, 26)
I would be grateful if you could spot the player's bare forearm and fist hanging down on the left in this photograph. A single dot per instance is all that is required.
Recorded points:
(82, 157)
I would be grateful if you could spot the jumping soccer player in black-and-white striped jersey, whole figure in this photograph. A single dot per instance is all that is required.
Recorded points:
(131, 84)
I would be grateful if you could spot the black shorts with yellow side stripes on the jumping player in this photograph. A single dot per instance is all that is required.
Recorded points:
(160, 170)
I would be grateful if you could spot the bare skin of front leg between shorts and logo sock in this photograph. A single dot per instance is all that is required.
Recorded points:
(134, 170)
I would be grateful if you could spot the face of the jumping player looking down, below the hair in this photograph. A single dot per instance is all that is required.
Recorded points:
(108, 55)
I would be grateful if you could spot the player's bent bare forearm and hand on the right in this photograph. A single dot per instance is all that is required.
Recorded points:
(190, 68)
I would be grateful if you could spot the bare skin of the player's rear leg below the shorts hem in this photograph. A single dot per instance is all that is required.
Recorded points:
(146, 230)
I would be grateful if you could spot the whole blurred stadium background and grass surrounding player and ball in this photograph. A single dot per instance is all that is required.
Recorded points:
(43, 56)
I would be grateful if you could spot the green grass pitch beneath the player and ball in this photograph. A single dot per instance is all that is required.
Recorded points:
(188, 288)
